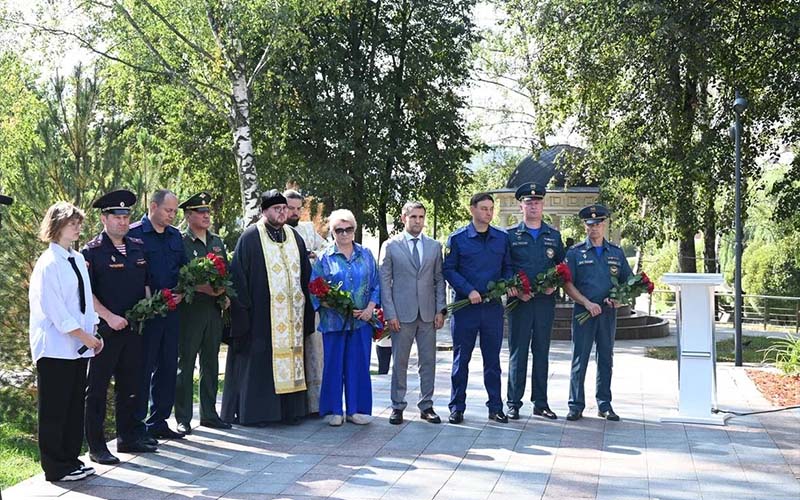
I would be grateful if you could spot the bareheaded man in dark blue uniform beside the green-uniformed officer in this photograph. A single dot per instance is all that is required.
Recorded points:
(163, 245)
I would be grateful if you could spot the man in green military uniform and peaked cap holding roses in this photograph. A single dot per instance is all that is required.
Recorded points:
(201, 323)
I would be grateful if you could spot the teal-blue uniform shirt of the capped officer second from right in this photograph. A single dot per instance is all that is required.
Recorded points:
(535, 256)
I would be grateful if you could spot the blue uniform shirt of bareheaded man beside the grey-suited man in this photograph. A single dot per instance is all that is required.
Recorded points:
(471, 262)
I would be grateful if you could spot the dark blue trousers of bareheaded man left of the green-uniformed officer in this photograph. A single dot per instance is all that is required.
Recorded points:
(160, 361)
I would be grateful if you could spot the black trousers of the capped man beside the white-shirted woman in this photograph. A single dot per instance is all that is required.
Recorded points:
(121, 358)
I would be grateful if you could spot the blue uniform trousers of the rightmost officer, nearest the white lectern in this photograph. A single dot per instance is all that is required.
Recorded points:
(599, 330)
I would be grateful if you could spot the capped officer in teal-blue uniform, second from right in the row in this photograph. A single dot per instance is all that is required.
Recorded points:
(535, 248)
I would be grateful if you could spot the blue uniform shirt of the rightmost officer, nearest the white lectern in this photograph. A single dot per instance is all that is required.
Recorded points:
(591, 274)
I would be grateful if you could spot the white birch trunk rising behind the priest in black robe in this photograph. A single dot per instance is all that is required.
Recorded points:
(243, 147)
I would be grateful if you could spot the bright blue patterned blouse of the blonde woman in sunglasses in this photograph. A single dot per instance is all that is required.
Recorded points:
(358, 275)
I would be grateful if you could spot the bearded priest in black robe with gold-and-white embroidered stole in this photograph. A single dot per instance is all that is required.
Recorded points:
(264, 373)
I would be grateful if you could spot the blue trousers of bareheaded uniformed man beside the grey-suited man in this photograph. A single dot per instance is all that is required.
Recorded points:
(486, 319)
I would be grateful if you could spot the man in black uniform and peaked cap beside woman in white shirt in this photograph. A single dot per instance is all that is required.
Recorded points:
(118, 272)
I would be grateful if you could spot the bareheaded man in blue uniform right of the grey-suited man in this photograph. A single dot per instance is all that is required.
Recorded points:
(475, 255)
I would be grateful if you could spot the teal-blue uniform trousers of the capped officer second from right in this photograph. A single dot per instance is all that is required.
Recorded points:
(530, 324)
